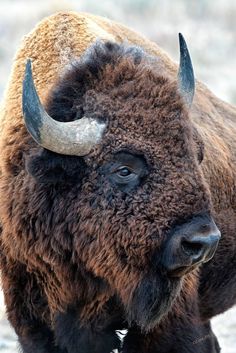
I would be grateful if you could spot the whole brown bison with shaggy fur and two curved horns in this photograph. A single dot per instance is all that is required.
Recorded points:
(115, 187)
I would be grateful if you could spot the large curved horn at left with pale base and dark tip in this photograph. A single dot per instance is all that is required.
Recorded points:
(71, 138)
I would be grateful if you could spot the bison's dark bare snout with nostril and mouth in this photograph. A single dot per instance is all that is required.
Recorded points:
(190, 244)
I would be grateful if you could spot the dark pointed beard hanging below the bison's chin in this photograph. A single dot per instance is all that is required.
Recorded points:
(151, 300)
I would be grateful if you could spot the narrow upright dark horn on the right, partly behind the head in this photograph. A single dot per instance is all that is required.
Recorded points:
(186, 80)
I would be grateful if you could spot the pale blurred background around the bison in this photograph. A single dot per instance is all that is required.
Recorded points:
(210, 30)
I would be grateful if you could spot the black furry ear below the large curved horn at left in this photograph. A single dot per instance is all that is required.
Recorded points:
(51, 168)
